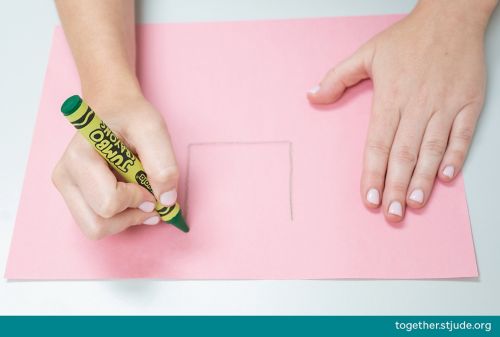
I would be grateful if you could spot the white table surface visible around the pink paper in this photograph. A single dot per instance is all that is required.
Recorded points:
(26, 31)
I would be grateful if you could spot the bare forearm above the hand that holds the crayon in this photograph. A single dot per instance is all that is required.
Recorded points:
(101, 35)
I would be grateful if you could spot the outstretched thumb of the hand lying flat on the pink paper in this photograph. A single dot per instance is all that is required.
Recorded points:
(346, 74)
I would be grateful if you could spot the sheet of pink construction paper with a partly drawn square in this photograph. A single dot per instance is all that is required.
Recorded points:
(269, 183)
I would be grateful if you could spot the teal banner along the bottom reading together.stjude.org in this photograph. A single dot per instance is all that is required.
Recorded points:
(254, 326)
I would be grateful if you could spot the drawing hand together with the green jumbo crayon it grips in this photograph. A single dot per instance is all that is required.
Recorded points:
(99, 203)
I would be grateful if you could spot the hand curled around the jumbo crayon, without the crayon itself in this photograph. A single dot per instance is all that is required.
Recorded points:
(100, 203)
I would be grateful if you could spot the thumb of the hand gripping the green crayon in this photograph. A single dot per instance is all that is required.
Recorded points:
(152, 143)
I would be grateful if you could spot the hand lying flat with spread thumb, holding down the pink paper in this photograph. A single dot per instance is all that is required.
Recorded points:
(428, 73)
